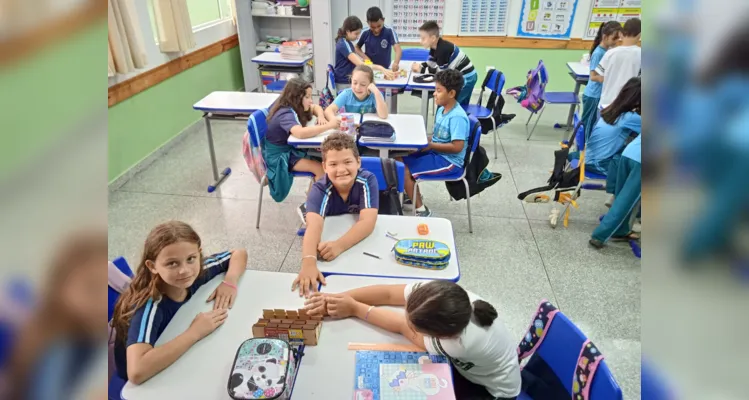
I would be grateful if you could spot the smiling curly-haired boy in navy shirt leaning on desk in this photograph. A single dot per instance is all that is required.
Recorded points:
(345, 189)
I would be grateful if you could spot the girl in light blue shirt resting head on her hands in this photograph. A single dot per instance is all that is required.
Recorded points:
(362, 97)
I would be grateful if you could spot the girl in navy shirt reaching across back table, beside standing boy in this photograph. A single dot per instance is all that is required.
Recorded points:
(346, 58)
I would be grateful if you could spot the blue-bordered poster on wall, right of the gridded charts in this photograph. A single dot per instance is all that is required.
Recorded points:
(547, 19)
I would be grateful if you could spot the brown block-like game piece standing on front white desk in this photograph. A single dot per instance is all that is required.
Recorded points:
(294, 326)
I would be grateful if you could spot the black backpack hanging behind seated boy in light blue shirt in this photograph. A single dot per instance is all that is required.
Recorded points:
(474, 171)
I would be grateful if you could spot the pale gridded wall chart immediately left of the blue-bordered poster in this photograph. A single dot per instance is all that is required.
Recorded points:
(483, 18)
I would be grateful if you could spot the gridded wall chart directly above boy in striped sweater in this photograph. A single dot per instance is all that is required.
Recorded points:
(409, 15)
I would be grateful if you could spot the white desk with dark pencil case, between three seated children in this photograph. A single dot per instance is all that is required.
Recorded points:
(410, 134)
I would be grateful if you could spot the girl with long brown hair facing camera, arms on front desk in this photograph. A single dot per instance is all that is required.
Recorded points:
(170, 272)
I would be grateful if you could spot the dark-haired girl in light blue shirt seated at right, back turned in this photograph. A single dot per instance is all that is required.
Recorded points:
(619, 121)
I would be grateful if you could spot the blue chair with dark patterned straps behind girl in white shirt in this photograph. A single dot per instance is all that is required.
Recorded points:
(560, 350)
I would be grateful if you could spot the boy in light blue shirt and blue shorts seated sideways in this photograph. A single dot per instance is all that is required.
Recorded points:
(447, 149)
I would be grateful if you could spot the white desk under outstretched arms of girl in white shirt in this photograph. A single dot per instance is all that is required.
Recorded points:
(327, 370)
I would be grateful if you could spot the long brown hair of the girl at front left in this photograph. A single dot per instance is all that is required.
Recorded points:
(146, 284)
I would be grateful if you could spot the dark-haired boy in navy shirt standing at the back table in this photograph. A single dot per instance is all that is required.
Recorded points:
(378, 41)
